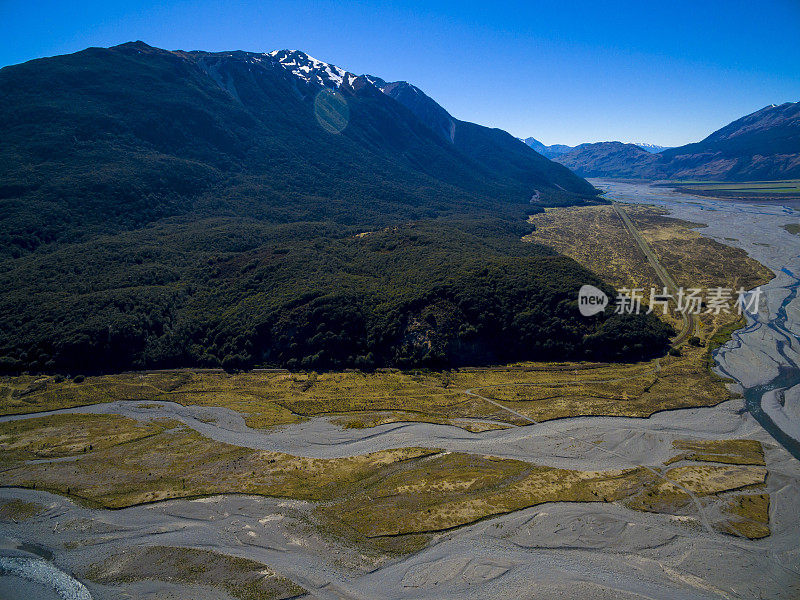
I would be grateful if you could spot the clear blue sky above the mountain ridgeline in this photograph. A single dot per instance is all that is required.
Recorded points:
(666, 72)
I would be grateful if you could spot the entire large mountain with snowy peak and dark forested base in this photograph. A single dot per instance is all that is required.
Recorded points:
(163, 209)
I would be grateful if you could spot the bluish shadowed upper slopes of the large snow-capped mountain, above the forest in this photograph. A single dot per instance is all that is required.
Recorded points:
(91, 134)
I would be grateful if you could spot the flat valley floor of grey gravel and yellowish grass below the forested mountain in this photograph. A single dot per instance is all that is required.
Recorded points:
(534, 480)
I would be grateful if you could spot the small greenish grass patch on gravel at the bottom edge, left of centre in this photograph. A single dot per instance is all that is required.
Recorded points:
(242, 578)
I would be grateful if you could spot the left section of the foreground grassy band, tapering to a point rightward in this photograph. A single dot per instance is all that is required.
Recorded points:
(170, 461)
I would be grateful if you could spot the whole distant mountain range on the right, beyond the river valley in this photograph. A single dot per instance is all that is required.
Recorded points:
(763, 145)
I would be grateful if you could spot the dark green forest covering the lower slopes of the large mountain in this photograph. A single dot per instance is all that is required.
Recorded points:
(429, 294)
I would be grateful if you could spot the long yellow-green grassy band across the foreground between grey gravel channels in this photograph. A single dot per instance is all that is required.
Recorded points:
(372, 499)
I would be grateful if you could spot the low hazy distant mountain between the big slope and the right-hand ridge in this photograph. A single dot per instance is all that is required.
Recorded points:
(610, 159)
